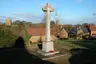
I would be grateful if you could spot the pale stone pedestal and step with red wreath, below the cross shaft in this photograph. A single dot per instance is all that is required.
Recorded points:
(48, 49)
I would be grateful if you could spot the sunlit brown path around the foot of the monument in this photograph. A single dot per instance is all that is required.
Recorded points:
(58, 59)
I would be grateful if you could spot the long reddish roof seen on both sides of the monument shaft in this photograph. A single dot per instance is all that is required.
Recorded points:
(41, 31)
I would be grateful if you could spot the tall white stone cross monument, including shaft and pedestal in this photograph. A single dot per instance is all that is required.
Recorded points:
(48, 47)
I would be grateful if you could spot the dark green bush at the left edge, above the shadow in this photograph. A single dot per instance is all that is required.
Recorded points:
(7, 38)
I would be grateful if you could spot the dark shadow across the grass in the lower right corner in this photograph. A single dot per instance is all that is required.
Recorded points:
(85, 55)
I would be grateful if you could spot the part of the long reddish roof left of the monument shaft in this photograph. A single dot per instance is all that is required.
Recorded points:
(36, 31)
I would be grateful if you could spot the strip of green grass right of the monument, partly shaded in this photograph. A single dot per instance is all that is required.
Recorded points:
(90, 44)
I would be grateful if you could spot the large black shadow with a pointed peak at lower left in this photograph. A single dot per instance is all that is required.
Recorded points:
(19, 55)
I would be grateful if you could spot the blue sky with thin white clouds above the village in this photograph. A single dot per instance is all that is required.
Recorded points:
(68, 11)
